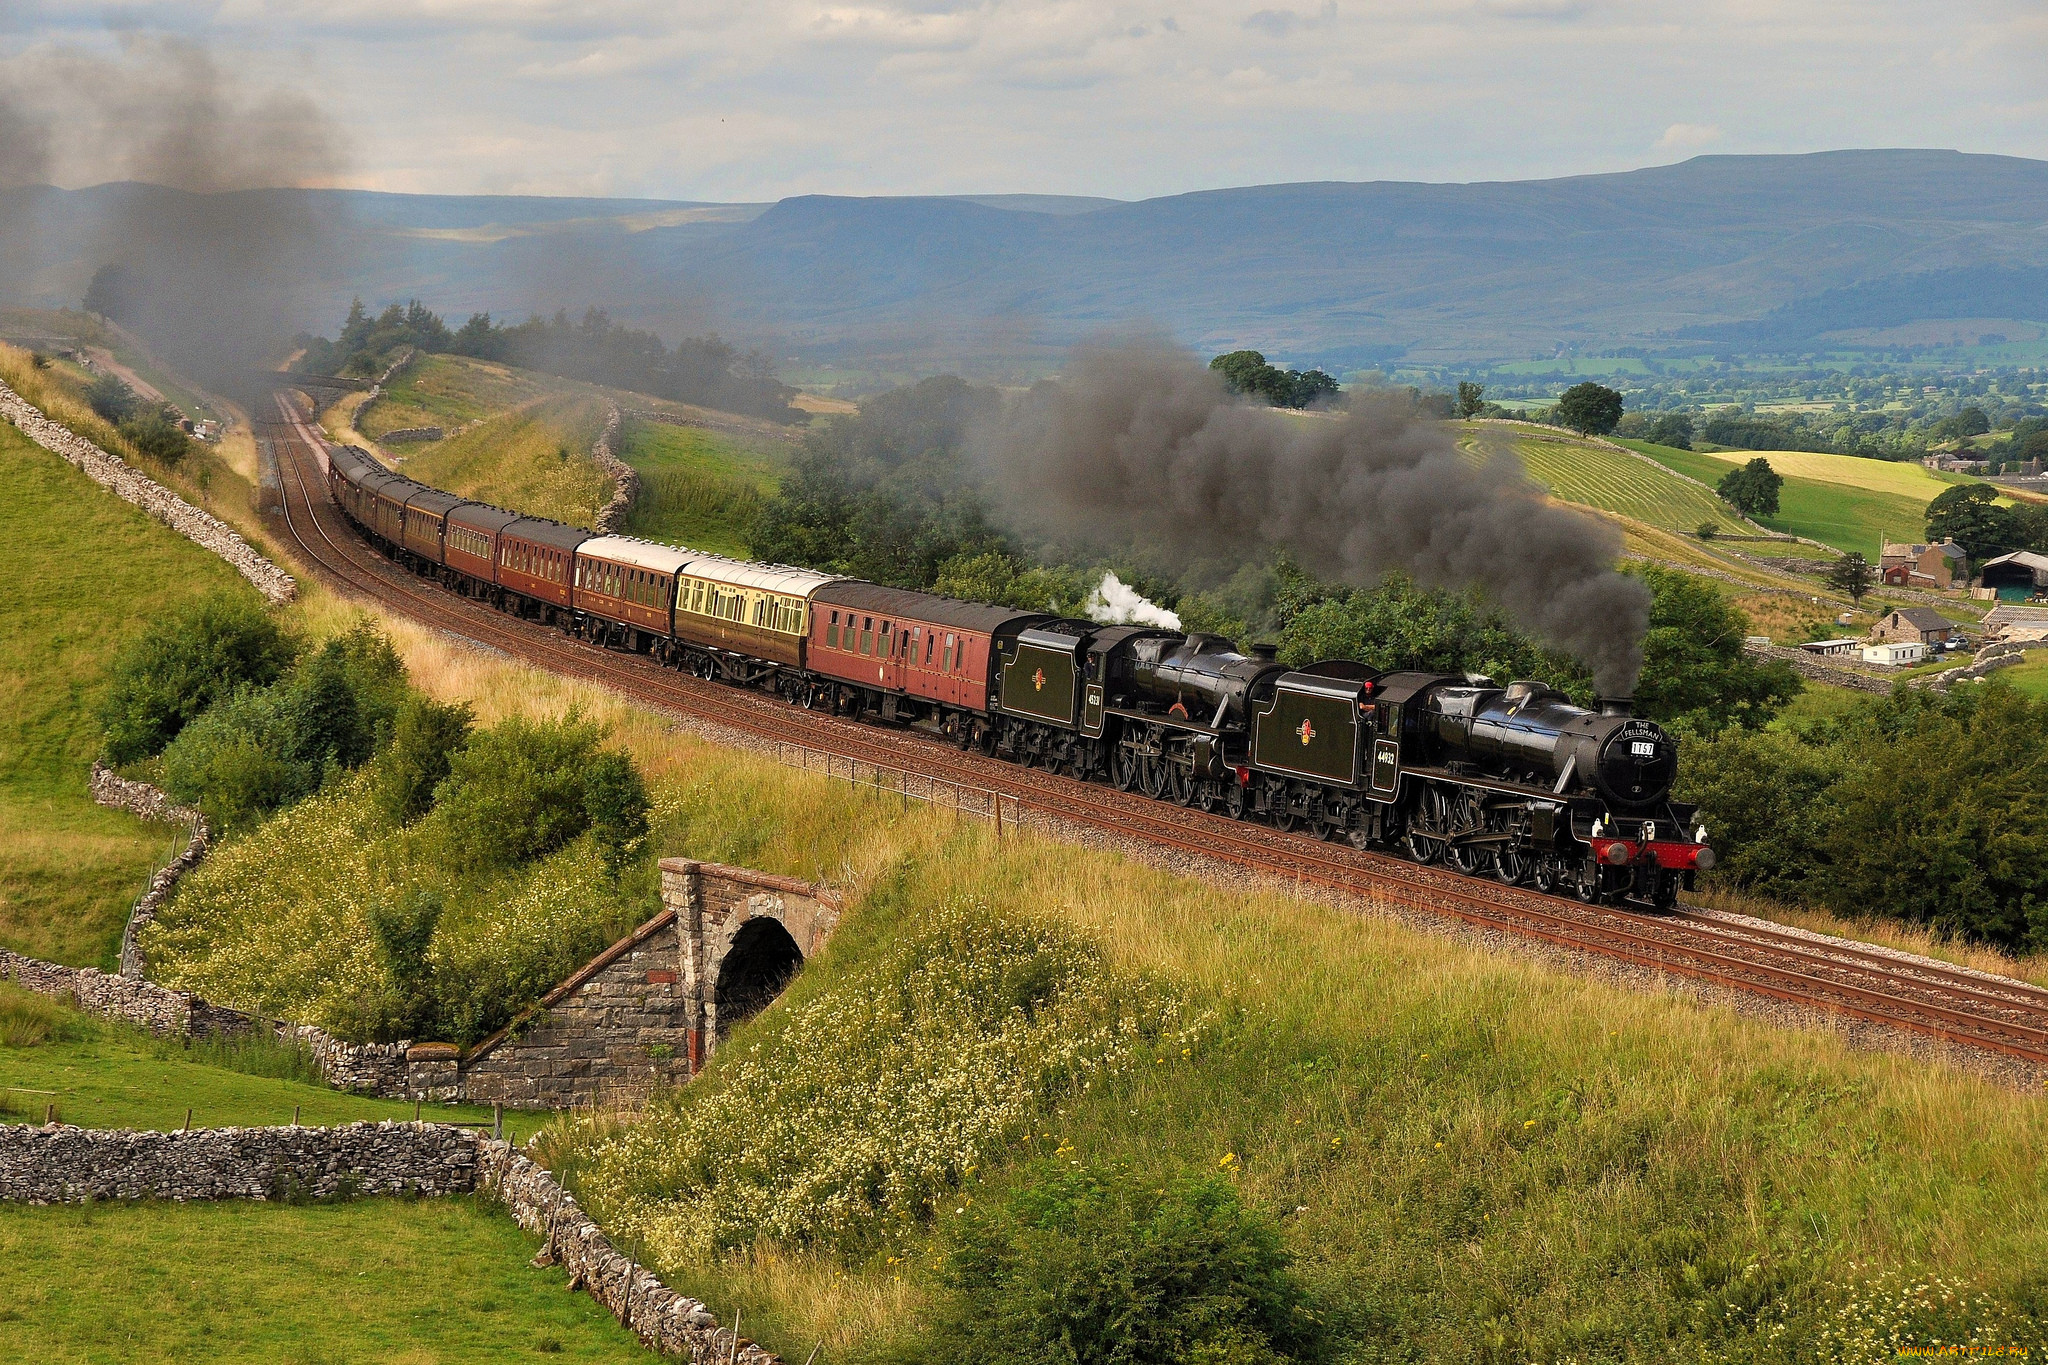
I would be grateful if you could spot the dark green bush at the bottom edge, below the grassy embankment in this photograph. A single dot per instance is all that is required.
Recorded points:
(1089, 1268)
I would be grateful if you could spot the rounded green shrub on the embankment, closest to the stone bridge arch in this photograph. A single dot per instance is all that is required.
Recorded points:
(525, 789)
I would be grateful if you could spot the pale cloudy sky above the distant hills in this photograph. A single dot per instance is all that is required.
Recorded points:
(765, 99)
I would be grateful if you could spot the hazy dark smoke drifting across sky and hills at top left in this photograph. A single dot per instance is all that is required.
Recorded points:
(204, 245)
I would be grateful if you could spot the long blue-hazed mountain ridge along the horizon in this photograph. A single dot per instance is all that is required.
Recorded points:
(1742, 251)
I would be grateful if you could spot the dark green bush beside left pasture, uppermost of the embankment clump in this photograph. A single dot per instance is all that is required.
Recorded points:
(183, 664)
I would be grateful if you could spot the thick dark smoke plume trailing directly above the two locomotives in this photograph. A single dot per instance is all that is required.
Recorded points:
(1142, 439)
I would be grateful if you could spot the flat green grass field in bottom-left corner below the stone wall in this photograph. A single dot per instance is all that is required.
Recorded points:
(431, 1282)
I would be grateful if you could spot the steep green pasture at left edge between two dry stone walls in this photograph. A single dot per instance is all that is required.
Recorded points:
(85, 572)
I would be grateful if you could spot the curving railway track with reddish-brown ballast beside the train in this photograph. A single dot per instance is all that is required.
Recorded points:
(1994, 1016)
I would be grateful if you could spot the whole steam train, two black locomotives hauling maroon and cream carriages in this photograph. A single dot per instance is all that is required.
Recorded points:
(1455, 770)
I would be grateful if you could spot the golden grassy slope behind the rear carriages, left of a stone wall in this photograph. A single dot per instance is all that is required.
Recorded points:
(529, 459)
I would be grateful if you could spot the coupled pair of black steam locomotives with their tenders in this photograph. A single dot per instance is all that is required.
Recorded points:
(1508, 783)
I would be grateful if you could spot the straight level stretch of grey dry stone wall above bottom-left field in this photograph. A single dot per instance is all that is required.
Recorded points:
(69, 1165)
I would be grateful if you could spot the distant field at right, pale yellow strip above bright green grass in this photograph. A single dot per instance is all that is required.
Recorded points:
(1885, 502)
